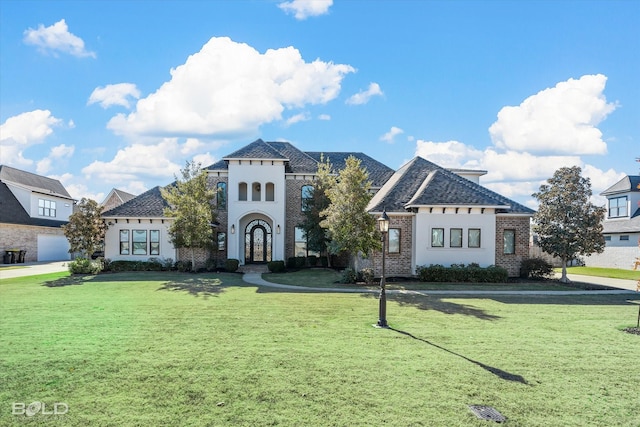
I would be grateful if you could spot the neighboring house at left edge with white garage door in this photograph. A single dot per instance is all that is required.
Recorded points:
(33, 209)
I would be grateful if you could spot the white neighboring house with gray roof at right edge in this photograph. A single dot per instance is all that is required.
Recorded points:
(621, 226)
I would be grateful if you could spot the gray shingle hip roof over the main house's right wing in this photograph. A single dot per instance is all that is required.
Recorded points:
(423, 183)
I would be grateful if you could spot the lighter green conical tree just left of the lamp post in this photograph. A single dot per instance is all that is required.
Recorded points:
(351, 228)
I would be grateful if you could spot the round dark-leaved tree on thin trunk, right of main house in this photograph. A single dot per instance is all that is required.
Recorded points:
(567, 223)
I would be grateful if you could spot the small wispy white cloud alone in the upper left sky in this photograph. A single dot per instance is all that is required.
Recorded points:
(57, 38)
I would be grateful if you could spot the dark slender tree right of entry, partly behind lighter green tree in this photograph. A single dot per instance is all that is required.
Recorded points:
(317, 236)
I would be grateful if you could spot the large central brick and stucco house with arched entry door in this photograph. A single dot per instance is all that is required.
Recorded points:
(437, 216)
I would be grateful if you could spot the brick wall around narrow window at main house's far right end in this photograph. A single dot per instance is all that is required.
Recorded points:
(513, 261)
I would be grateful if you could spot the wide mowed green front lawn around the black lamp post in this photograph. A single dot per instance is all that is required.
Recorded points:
(208, 350)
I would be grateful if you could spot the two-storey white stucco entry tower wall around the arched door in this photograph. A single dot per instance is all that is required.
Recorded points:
(242, 212)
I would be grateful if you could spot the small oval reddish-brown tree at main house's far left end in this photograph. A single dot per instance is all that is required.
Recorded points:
(86, 228)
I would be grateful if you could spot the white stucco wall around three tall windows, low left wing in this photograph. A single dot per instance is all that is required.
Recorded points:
(112, 239)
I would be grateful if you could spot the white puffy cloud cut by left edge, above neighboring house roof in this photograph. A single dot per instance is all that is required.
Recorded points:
(19, 132)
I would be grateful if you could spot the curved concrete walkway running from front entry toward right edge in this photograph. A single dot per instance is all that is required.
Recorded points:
(256, 279)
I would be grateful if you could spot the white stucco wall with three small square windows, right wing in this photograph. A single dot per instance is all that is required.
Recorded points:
(425, 221)
